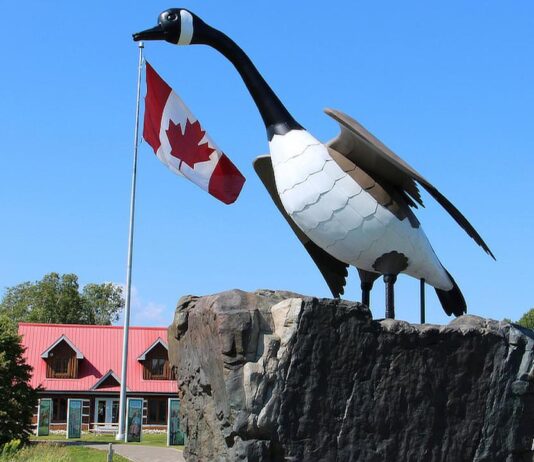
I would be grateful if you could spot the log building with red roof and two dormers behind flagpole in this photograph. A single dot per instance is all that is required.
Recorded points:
(84, 361)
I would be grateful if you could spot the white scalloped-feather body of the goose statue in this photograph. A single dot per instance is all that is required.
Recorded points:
(338, 215)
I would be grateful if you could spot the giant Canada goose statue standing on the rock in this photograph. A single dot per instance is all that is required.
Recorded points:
(349, 201)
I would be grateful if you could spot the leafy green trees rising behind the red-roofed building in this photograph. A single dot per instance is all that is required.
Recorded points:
(57, 299)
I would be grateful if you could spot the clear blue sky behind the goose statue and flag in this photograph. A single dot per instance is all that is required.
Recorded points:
(448, 86)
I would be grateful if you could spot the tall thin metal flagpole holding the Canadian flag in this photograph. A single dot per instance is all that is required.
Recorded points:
(122, 406)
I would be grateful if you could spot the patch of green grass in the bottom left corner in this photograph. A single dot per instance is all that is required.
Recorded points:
(53, 453)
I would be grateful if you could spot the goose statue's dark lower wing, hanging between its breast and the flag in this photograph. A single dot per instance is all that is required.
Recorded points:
(333, 270)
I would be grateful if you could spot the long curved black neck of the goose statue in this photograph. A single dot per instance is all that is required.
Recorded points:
(276, 117)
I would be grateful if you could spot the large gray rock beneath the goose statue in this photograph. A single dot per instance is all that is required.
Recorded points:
(275, 376)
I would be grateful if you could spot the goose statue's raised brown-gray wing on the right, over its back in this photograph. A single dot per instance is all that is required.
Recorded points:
(369, 153)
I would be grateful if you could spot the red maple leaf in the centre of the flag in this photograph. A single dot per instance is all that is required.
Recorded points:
(186, 146)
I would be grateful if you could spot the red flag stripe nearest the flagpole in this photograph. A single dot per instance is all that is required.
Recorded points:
(156, 97)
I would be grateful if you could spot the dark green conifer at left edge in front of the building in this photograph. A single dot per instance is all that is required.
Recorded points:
(17, 398)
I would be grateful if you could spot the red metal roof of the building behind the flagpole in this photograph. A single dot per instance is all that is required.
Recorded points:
(102, 350)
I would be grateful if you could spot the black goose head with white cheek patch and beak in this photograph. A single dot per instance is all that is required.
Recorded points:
(175, 25)
